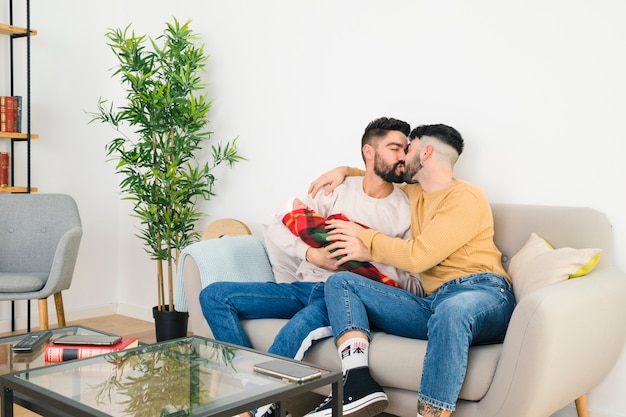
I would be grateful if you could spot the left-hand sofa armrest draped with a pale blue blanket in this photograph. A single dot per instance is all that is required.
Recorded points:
(230, 258)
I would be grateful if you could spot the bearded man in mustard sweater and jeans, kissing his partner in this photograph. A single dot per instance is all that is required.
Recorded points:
(469, 298)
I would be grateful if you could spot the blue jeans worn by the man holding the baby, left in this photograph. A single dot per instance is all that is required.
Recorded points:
(225, 303)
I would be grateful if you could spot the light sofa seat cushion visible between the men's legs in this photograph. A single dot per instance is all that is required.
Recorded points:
(403, 374)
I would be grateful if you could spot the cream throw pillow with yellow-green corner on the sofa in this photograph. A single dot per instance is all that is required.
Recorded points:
(538, 264)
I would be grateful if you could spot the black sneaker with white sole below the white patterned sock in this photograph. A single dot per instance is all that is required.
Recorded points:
(362, 396)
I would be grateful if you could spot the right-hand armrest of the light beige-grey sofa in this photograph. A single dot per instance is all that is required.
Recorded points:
(556, 331)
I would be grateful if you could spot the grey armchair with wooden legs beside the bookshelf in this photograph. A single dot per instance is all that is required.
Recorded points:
(39, 240)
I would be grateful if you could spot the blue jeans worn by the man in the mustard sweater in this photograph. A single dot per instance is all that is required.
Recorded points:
(475, 309)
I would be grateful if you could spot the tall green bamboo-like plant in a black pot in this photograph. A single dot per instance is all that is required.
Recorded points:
(167, 113)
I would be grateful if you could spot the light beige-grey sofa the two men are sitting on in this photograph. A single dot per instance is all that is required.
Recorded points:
(562, 340)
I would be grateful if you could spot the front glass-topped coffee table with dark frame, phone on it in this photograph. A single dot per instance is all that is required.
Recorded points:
(192, 376)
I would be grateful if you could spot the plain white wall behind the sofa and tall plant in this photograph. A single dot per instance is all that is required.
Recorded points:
(537, 88)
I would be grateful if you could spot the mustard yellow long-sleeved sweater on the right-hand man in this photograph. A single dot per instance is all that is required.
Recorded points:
(451, 236)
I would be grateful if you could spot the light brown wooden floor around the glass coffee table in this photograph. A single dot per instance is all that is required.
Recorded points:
(144, 330)
